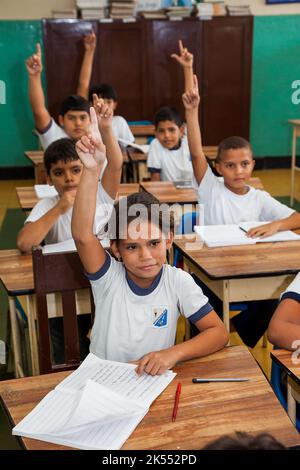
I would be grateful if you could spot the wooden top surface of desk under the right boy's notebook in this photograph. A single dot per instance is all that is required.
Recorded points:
(261, 259)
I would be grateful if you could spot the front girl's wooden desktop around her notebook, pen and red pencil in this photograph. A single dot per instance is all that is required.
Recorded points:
(208, 410)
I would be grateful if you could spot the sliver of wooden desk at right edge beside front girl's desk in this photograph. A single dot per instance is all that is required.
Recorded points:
(284, 359)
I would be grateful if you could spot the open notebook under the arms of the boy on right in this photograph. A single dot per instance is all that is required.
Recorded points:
(231, 234)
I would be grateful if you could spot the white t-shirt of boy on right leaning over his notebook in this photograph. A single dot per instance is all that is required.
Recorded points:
(222, 206)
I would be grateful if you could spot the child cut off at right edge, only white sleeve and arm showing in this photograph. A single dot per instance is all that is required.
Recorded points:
(284, 328)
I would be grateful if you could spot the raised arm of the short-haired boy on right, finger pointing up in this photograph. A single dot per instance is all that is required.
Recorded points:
(191, 100)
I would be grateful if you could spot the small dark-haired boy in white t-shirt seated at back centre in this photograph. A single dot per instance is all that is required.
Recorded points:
(169, 156)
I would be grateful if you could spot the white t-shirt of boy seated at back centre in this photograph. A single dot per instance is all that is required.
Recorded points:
(173, 165)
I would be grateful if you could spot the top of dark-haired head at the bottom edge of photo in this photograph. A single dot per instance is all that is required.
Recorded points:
(244, 441)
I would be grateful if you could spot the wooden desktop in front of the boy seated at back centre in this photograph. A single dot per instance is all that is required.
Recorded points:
(166, 192)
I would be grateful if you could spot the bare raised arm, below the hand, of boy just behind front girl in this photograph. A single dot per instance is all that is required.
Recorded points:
(112, 174)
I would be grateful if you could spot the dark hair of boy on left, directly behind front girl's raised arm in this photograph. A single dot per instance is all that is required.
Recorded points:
(62, 149)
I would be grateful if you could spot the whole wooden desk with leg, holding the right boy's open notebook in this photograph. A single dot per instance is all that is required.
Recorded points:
(243, 273)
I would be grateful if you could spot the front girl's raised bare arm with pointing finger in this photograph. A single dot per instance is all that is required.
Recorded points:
(91, 151)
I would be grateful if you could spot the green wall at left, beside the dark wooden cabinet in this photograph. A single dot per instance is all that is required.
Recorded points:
(17, 42)
